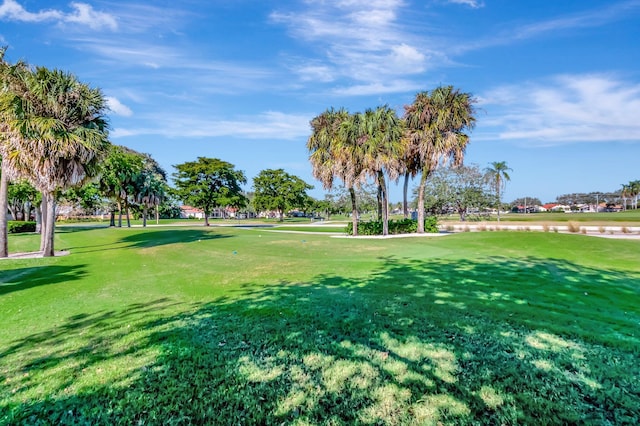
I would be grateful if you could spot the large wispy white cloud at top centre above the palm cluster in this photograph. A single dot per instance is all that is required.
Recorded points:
(358, 41)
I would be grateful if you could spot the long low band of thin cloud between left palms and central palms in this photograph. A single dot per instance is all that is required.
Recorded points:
(266, 125)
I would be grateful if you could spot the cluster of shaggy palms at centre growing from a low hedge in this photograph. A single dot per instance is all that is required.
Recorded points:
(379, 145)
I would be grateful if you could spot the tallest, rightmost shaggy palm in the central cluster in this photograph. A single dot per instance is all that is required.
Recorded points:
(435, 123)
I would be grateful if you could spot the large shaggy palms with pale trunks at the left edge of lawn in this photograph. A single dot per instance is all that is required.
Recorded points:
(53, 133)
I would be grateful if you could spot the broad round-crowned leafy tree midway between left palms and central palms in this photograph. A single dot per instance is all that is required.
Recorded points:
(209, 183)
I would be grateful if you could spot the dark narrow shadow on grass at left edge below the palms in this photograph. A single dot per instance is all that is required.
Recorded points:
(14, 279)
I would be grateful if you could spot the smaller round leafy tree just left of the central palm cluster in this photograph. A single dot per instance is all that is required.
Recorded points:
(275, 189)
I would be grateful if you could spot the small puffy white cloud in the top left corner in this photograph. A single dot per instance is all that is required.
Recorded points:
(81, 13)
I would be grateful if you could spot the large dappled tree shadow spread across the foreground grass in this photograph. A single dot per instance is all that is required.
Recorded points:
(500, 342)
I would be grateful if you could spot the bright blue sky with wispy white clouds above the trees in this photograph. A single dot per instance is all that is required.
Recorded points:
(557, 82)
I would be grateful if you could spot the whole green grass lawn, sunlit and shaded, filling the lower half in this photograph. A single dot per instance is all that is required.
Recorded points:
(235, 326)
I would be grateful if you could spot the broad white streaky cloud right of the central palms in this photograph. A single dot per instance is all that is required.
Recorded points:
(564, 109)
